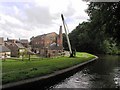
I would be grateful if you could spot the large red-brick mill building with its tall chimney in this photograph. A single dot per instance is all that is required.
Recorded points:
(47, 44)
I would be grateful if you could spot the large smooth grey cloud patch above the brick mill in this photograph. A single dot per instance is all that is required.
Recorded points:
(39, 16)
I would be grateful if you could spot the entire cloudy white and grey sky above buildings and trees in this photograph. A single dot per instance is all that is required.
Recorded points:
(27, 18)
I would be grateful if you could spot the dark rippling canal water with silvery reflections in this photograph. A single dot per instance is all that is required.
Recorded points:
(103, 73)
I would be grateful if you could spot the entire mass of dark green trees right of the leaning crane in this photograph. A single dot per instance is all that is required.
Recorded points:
(100, 34)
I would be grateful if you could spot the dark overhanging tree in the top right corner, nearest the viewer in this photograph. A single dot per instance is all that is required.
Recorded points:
(107, 16)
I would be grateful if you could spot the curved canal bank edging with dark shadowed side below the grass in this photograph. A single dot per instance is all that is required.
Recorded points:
(47, 79)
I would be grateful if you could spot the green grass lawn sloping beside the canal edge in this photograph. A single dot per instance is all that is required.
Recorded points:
(14, 69)
